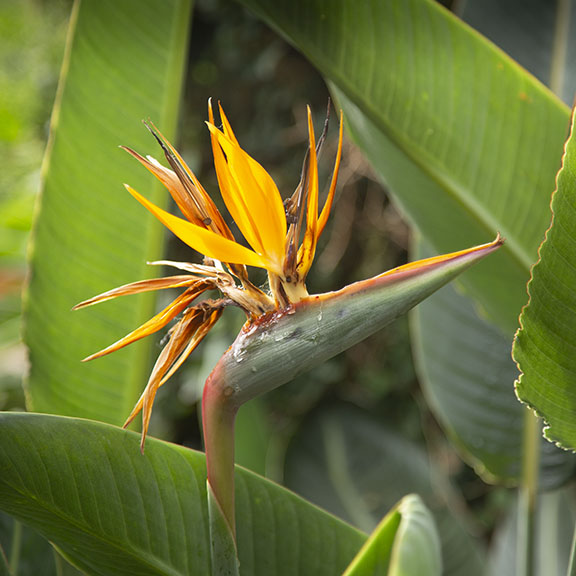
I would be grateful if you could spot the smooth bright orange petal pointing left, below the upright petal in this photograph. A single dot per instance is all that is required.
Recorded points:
(204, 241)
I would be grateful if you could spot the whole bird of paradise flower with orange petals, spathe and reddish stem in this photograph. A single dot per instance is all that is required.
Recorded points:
(306, 330)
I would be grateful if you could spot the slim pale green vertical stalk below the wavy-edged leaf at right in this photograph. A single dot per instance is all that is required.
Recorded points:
(528, 496)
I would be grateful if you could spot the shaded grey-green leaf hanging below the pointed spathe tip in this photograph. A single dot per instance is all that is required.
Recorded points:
(467, 374)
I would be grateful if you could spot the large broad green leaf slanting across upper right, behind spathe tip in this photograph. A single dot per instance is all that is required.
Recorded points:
(467, 140)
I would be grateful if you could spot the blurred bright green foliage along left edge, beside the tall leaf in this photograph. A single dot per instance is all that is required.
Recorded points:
(32, 36)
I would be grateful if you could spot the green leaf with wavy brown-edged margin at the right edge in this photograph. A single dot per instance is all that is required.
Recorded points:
(545, 346)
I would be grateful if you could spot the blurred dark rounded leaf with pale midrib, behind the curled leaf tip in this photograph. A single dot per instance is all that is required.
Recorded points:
(352, 466)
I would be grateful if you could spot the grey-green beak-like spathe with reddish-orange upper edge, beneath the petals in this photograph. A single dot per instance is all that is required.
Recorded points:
(279, 346)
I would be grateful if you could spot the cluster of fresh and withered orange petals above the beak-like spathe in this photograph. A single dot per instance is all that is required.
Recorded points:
(282, 235)
